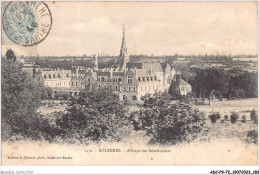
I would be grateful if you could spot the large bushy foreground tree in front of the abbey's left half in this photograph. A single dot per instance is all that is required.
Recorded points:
(94, 115)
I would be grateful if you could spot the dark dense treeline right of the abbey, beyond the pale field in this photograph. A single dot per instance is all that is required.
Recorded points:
(235, 83)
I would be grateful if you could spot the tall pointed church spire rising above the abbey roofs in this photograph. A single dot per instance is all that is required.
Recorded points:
(124, 59)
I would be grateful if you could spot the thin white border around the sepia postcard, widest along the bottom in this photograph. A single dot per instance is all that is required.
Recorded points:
(131, 169)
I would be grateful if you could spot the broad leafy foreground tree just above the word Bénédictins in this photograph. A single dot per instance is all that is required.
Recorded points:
(169, 123)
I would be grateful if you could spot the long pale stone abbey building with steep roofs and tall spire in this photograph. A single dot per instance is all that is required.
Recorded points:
(128, 80)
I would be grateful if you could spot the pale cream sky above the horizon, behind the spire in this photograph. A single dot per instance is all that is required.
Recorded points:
(152, 28)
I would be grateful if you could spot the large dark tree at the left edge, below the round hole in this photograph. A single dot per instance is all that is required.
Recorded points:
(20, 99)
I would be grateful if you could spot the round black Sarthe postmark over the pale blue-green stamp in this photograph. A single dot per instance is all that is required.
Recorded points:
(27, 23)
